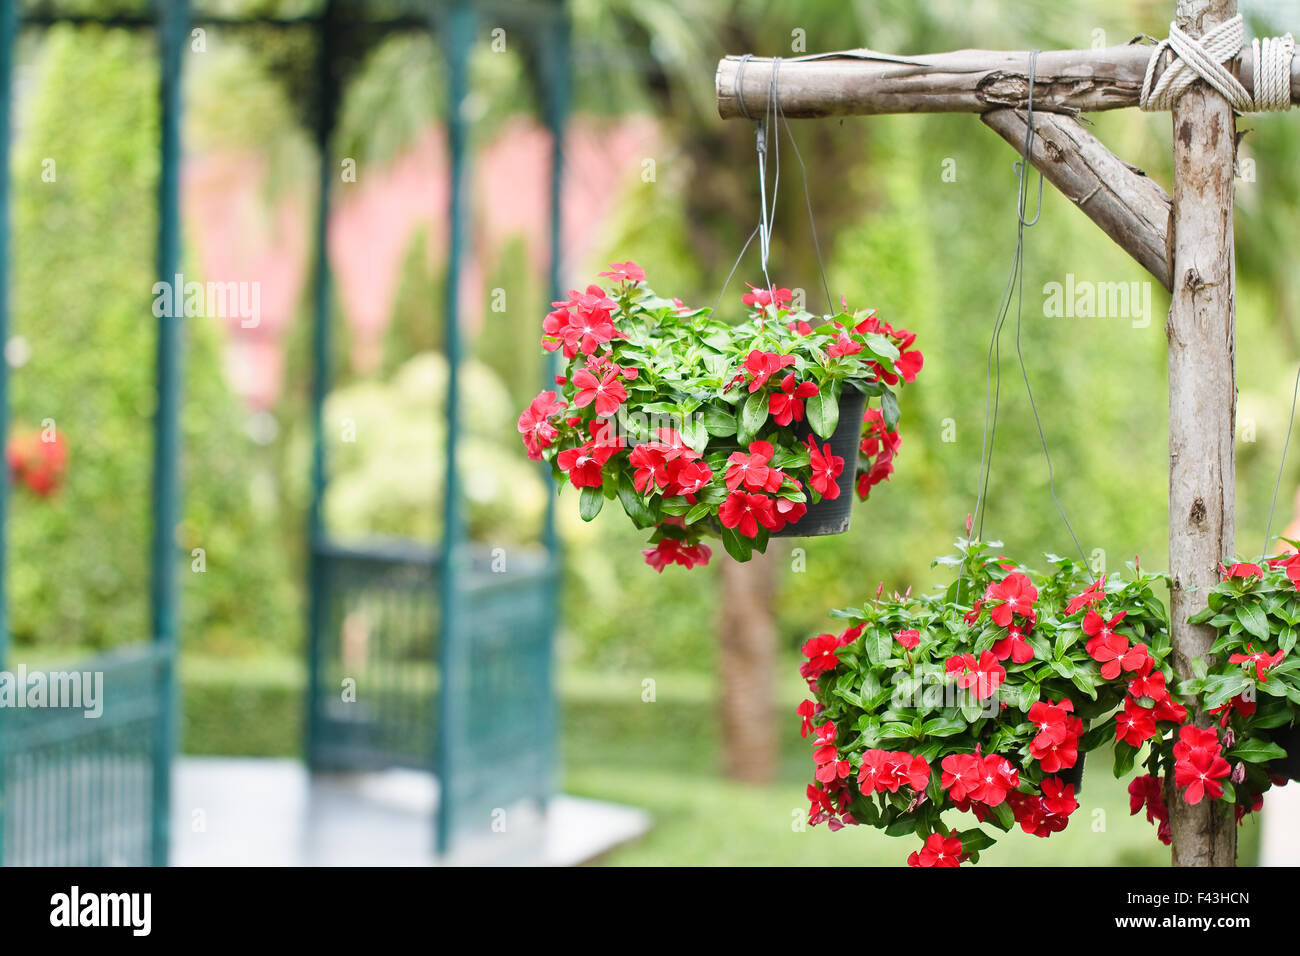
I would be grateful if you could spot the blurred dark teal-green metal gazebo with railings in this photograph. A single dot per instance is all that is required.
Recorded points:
(457, 676)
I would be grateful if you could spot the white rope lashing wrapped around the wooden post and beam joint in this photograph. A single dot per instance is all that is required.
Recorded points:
(1206, 59)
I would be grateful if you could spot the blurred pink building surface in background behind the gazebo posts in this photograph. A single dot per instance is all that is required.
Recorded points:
(239, 237)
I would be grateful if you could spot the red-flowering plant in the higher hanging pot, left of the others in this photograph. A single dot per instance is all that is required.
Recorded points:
(703, 429)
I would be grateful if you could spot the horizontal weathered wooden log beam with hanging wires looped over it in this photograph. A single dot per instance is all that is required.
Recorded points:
(863, 83)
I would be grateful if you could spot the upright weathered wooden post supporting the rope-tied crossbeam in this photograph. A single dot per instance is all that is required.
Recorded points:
(1202, 401)
